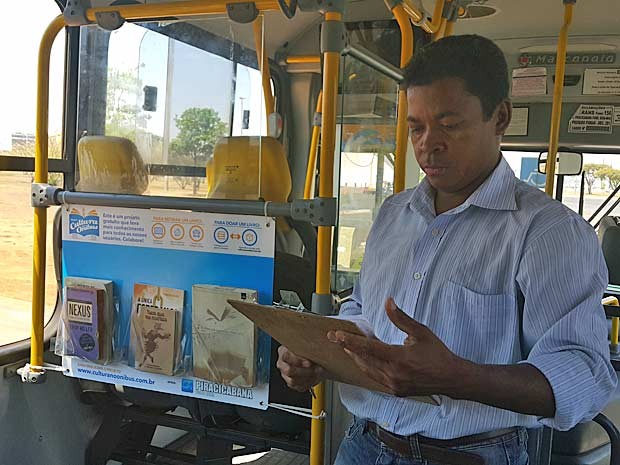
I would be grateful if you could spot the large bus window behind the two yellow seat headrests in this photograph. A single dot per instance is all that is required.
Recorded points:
(173, 89)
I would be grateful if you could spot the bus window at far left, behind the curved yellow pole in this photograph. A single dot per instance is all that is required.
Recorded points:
(17, 143)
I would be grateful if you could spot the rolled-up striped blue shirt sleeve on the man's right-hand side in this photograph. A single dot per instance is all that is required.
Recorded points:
(562, 276)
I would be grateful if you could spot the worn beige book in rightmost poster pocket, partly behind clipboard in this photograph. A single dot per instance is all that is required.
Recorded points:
(224, 341)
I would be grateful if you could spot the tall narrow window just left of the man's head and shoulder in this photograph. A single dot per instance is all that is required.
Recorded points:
(367, 130)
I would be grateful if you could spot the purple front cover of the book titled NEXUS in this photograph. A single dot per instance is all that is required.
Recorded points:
(84, 312)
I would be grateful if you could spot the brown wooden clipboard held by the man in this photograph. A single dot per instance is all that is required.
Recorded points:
(305, 334)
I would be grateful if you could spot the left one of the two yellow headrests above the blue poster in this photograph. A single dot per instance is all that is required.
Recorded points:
(109, 164)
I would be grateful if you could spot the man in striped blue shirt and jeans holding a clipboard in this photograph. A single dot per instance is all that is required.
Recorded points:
(480, 289)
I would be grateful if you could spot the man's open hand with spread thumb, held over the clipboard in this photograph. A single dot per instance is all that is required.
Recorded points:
(423, 365)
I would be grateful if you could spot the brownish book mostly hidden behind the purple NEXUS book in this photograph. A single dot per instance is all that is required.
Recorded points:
(106, 326)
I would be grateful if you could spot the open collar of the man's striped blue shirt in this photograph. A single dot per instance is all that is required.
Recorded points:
(497, 192)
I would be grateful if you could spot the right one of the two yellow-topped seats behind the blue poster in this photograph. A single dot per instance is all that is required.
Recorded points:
(252, 168)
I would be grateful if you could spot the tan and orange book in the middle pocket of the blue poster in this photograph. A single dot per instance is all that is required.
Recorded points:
(156, 328)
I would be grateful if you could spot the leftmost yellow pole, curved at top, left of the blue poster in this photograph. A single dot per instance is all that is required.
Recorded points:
(40, 176)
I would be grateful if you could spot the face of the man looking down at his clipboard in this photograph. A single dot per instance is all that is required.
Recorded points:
(453, 143)
